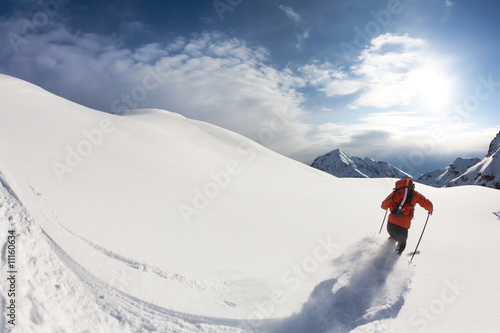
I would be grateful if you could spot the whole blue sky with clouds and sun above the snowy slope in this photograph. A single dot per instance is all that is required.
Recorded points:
(413, 82)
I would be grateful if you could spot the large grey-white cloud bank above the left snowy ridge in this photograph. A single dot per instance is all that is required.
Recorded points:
(208, 76)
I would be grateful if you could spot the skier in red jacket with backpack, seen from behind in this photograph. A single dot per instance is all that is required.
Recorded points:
(397, 226)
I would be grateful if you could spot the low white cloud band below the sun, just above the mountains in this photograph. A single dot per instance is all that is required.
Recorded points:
(409, 140)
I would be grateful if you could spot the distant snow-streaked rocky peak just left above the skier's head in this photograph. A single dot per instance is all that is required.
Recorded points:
(341, 164)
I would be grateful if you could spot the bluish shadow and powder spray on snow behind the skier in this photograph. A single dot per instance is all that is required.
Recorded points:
(337, 305)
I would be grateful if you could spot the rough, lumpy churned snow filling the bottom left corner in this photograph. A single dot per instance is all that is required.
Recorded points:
(52, 298)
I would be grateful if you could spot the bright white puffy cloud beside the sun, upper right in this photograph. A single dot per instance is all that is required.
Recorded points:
(383, 75)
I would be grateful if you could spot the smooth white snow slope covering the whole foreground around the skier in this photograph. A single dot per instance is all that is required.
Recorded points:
(151, 222)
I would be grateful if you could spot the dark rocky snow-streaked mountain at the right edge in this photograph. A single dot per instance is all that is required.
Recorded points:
(485, 172)
